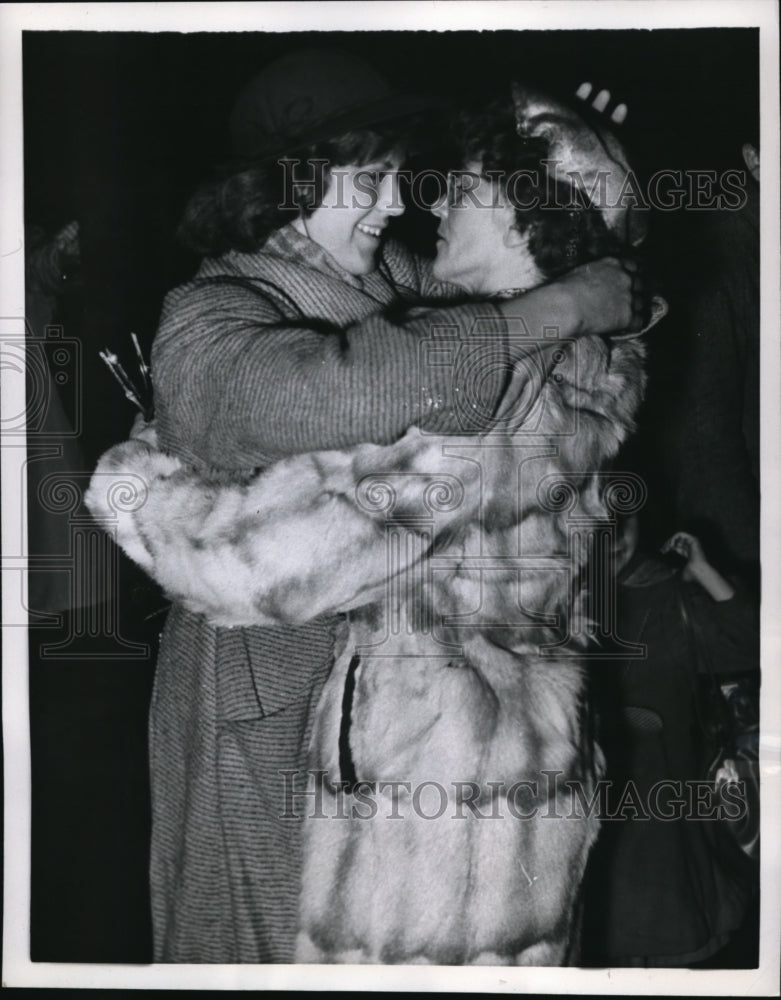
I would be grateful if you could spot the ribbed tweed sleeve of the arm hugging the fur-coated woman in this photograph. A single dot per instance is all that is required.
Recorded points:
(239, 384)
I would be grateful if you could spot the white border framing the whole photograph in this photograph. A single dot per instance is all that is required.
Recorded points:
(18, 970)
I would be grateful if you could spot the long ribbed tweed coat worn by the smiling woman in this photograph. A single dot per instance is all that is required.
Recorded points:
(261, 356)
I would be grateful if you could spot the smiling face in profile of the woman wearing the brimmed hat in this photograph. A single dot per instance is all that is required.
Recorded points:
(355, 210)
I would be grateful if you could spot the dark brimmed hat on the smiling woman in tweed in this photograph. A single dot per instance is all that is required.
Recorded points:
(310, 95)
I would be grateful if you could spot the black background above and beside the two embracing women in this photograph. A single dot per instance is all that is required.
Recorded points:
(119, 128)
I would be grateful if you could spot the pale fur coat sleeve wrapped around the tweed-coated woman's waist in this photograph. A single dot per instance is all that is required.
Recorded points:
(300, 539)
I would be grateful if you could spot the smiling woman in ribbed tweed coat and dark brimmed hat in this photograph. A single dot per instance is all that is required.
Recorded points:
(284, 344)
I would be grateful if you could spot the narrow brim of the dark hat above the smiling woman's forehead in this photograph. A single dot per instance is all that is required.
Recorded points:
(360, 117)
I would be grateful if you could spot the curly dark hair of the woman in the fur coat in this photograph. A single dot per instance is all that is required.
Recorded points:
(564, 229)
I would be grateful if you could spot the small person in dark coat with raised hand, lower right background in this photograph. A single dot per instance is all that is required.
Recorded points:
(658, 891)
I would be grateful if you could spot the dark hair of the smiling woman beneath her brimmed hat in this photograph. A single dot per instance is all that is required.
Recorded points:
(239, 210)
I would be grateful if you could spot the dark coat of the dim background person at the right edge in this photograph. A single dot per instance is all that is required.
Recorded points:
(717, 456)
